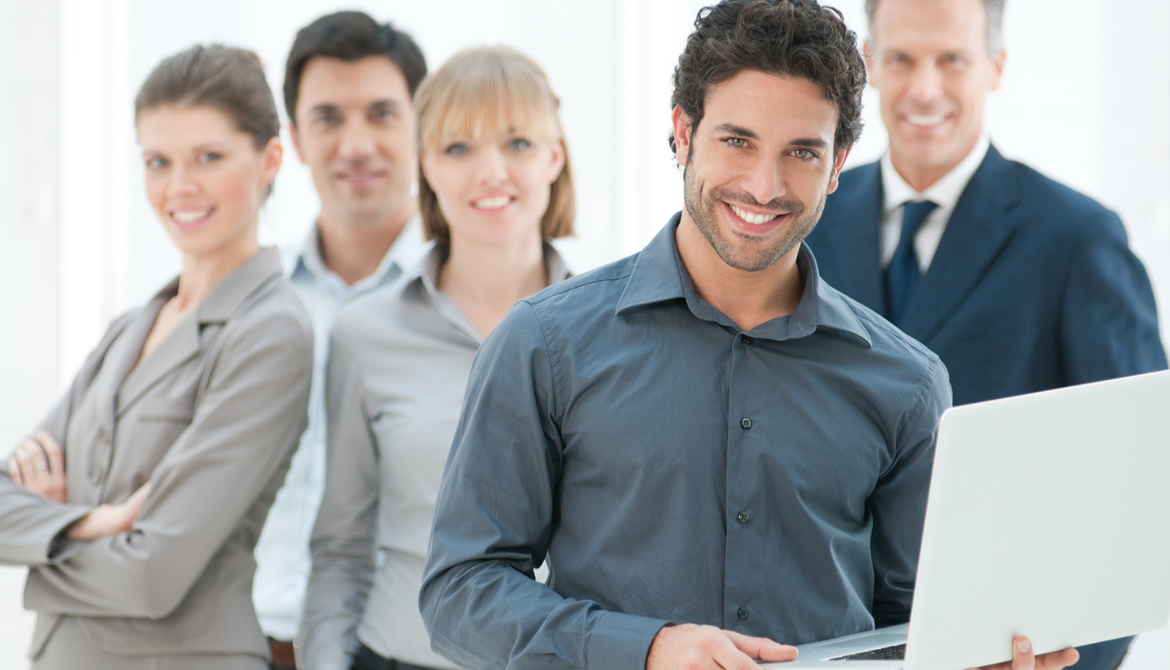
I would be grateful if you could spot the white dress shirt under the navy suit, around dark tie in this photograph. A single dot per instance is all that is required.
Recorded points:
(945, 194)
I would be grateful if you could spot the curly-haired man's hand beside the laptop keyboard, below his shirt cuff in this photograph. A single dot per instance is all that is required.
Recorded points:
(690, 647)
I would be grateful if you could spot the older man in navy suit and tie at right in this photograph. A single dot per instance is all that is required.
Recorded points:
(1017, 282)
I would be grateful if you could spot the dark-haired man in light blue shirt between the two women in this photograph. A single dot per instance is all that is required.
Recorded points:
(349, 85)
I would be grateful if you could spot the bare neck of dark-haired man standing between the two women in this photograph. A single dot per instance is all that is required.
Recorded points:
(353, 251)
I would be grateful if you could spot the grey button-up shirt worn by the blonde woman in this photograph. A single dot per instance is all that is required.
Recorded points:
(397, 374)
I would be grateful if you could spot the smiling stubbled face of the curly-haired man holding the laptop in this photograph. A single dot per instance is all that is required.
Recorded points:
(759, 167)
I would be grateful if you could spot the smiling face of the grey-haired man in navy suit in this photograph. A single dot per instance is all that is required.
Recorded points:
(931, 65)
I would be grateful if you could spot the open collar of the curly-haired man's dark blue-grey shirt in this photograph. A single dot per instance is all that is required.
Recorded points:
(659, 277)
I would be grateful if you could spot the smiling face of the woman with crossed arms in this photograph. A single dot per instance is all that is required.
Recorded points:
(205, 179)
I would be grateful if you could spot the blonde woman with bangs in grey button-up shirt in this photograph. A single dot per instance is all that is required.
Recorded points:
(495, 188)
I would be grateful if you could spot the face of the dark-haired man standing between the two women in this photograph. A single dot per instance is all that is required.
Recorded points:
(355, 130)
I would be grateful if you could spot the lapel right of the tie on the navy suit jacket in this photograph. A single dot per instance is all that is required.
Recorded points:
(976, 233)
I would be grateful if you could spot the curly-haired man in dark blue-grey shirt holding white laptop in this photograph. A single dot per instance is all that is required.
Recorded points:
(713, 448)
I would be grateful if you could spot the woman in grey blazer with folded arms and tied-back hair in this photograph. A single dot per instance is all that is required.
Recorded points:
(139, 501)
